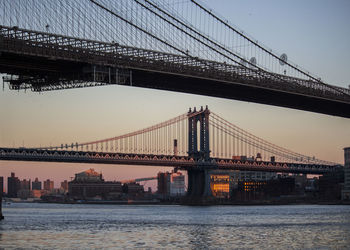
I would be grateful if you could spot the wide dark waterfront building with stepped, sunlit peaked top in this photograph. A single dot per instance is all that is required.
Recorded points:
(89, 184)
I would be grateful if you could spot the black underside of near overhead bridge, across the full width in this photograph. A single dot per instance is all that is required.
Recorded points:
(74, 73)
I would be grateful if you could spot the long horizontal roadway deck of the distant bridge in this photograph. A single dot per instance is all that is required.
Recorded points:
(180, 162)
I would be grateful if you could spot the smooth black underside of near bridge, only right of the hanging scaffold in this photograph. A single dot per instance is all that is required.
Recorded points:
(240, 92)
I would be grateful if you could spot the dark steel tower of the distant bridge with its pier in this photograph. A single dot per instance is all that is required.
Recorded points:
(199, 176)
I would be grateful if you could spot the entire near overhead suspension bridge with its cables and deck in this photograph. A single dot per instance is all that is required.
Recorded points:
(170, 45)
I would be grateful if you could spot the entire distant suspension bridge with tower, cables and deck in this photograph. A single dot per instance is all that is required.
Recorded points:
(191, 141)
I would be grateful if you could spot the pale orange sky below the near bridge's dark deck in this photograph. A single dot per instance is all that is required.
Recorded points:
(80, 115)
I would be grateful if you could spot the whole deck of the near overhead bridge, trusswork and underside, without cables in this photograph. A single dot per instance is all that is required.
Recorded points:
(46, 61)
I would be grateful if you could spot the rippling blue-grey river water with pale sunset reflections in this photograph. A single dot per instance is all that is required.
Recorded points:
(49, 226)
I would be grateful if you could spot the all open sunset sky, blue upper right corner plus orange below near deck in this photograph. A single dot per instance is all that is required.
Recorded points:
(315, 34)
